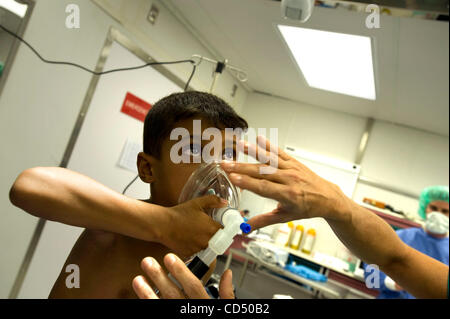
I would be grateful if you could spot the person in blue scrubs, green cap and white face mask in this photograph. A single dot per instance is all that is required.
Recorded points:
(431, 240)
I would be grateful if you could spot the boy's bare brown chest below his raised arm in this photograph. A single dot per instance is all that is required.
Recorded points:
(108, 267)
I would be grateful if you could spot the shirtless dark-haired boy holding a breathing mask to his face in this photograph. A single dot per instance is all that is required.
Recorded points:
(121, 231)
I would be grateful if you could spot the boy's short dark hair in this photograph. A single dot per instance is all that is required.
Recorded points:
(162, 117)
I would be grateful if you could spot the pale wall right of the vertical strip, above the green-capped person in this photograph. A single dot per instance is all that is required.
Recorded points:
(404, 158)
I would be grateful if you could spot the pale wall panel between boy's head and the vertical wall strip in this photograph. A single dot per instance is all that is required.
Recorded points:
(315, 129)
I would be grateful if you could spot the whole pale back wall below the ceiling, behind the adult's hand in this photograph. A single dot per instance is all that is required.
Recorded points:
(406, 158)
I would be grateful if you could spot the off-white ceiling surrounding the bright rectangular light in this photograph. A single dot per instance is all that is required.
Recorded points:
(411, 58)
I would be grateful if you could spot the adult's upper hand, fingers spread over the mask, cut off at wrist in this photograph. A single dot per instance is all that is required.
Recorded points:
(299, 191)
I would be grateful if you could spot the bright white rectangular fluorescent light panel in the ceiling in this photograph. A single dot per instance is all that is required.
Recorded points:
(333, 61)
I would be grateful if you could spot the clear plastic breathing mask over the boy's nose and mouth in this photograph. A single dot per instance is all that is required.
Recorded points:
(210, 179)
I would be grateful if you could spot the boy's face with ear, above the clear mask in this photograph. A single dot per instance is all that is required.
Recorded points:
(167, 178)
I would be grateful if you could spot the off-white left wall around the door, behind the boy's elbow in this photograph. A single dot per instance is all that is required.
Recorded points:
(40, 103)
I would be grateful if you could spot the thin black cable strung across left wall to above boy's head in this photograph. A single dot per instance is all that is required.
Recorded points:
(194, 67)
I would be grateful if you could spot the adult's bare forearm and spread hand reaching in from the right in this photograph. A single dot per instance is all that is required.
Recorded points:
(303, 194)
